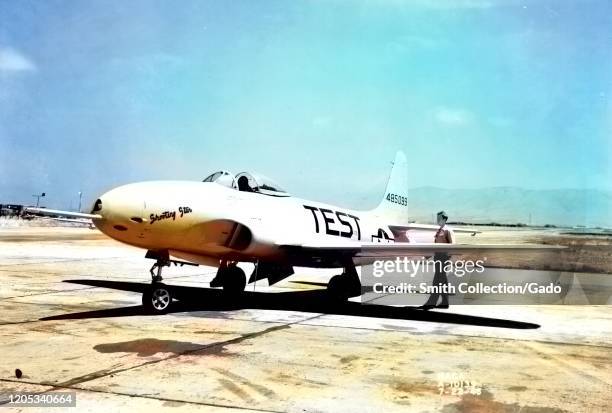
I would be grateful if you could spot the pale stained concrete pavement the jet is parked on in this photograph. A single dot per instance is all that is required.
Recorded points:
(281, 349)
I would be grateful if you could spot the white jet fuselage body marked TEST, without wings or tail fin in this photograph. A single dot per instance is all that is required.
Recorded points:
(206, 222)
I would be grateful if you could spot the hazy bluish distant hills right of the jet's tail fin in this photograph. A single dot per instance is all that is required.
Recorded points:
(511, 205)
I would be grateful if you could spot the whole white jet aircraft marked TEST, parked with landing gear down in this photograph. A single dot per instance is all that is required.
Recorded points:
(227, 219)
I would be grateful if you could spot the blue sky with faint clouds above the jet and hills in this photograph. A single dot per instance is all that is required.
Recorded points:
(318, 95)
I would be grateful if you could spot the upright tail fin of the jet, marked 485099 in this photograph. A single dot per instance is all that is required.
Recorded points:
(394, 205)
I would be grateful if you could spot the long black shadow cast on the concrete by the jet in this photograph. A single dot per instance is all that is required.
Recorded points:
(311, 301)
